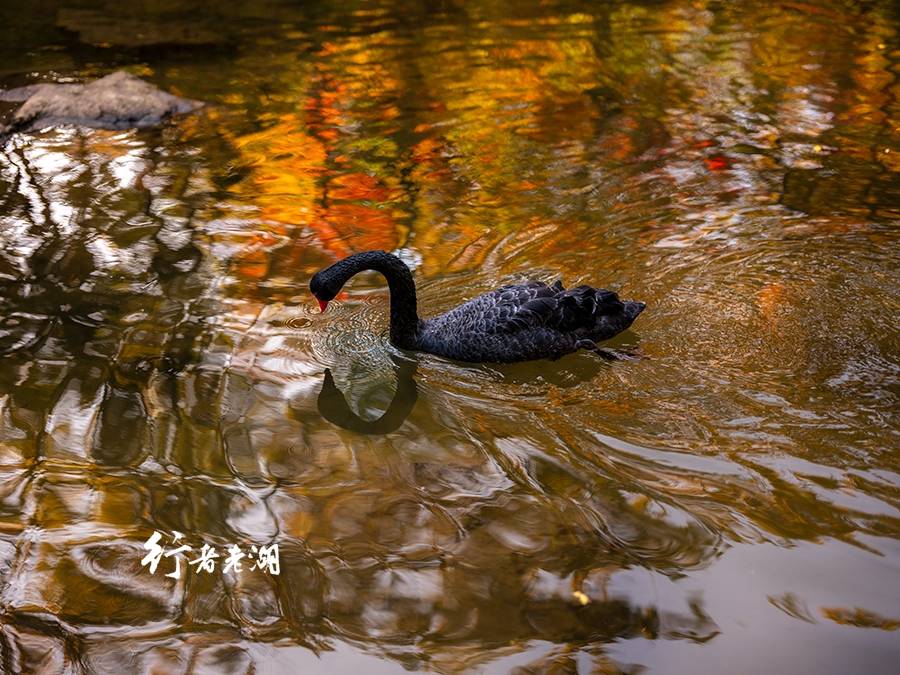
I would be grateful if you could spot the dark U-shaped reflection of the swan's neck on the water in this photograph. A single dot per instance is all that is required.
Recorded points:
(334, 408)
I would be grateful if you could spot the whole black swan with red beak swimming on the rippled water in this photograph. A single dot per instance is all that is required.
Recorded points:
(515, 323)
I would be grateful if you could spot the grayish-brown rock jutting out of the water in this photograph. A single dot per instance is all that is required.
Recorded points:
(117, 101)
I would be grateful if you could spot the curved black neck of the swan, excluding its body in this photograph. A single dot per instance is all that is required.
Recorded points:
(404, 318)
